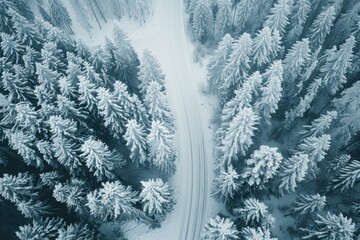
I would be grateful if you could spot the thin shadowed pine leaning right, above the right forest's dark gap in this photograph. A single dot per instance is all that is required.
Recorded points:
(304, 104)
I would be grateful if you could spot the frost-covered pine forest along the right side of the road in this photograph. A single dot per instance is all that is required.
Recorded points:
(286, 75)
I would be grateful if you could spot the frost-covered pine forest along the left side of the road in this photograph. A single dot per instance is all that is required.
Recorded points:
(77, 126)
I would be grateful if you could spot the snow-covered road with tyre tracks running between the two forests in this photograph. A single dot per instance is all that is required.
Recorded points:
(165, 36)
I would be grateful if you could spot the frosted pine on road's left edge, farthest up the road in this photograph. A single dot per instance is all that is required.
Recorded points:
(149, 71)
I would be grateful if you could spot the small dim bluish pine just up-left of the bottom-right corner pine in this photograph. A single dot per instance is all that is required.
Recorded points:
(309, 204)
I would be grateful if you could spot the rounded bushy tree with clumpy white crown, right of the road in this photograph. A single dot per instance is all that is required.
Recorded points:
(262, 166)
